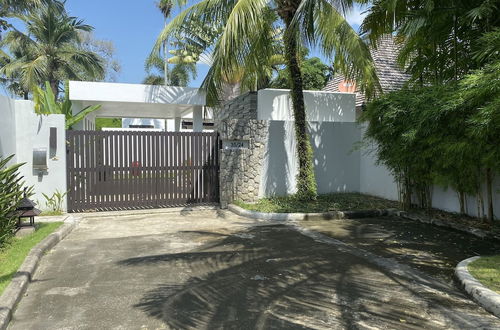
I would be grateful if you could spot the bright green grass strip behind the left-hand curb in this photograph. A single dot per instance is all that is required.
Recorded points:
(13, 253)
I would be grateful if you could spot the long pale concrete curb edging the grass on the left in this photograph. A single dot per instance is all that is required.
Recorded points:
(17, 287)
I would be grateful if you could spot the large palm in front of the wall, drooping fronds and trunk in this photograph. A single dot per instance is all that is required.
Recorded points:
(249, 30)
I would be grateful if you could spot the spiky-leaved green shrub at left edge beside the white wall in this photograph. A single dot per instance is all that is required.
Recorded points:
(11, 192)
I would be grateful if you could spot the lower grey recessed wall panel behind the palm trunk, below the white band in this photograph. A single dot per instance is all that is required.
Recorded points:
(336, 163)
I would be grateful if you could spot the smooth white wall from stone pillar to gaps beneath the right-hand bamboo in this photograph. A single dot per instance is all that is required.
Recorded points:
(338, 166)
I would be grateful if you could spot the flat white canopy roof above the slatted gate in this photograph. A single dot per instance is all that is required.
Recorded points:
(137, 101)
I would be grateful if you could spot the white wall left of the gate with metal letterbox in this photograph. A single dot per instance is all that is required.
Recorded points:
(21, 130)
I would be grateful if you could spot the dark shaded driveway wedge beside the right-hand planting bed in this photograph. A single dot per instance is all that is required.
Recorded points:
(433, 250)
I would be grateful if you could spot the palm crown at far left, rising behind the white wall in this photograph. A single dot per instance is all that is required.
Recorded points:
(50, 49)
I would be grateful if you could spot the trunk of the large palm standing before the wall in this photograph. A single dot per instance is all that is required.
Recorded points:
(306, 182)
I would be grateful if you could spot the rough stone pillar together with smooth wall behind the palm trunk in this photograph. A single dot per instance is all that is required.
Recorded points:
(268, 167)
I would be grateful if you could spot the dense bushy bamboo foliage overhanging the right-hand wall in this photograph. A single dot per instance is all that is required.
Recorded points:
(446, 135)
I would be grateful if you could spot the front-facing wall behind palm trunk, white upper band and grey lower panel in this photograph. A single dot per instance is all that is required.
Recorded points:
(331, 125)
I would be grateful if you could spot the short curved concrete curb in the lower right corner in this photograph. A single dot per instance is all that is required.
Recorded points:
(485, 297)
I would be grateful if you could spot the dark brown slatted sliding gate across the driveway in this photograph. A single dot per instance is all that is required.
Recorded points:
(116, 170)
